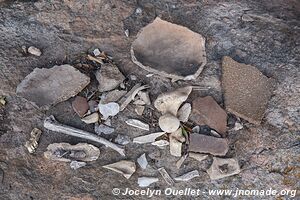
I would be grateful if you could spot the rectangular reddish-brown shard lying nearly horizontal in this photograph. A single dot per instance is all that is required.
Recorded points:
(208, 144)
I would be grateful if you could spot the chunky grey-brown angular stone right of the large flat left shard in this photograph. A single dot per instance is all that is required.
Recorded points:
(109, 77)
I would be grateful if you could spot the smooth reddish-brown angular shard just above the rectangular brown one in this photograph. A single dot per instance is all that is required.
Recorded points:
(206, 111)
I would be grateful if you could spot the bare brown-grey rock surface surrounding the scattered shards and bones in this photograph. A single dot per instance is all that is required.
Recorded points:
(264, 34)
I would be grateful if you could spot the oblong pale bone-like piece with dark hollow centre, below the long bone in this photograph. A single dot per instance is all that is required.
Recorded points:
(66, 152)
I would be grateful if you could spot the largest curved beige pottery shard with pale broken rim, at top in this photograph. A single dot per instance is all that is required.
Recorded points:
(169, 50)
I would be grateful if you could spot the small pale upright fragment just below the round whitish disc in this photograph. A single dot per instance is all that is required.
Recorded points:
(176, 139)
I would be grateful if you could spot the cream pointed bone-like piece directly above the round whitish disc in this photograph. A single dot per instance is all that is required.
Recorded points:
(170, 102)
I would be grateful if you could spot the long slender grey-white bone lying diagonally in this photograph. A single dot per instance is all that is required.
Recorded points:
(52, 124)
